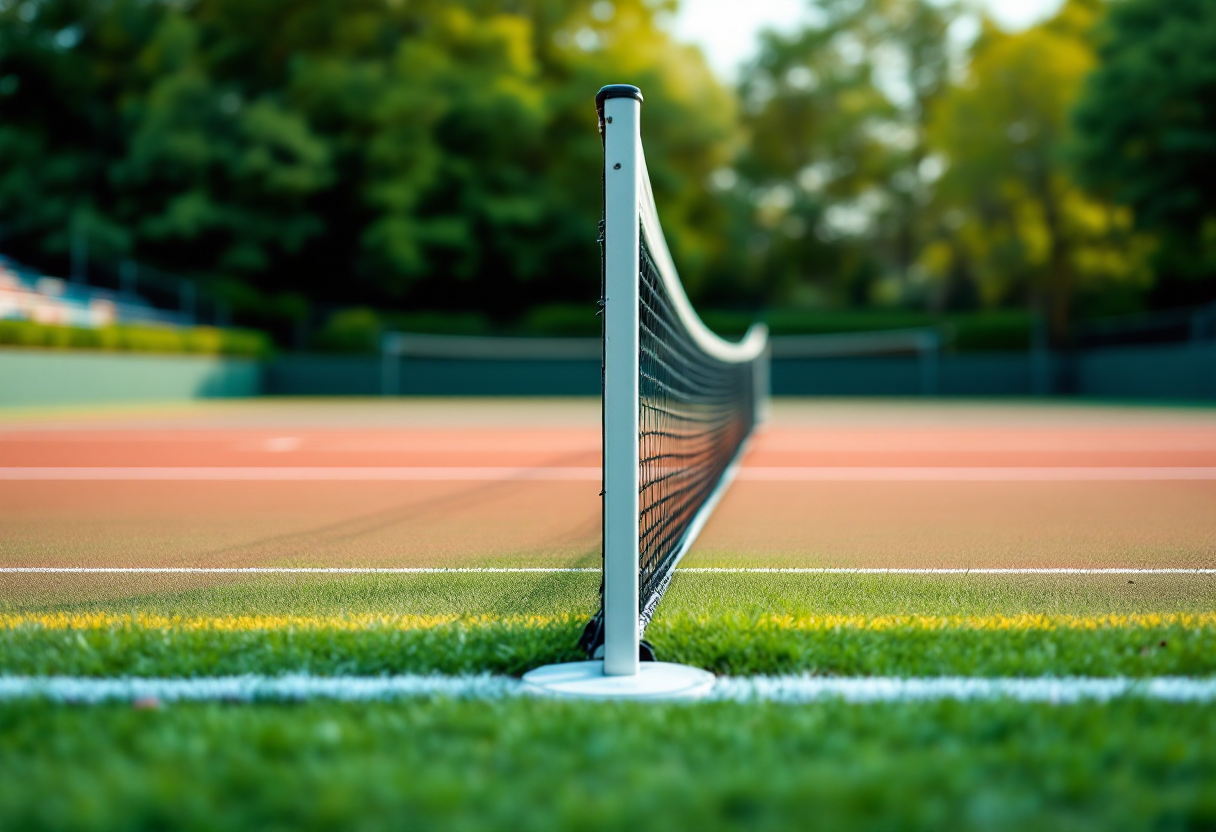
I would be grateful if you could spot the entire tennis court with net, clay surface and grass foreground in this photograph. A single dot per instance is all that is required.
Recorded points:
(989, 615)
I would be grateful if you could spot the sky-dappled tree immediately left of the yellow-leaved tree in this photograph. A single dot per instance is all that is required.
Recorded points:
(808, 178)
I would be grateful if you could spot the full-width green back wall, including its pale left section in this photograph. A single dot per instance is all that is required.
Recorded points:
(910, 363)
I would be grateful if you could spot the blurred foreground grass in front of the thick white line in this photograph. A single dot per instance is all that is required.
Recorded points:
(544, 766)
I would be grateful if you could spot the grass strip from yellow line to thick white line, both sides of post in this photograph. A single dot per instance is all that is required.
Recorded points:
(736, 645)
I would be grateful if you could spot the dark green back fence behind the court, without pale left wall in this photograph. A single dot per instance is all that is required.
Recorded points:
(910, 363)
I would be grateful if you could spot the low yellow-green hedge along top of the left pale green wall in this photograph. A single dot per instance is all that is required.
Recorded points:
(201, 340)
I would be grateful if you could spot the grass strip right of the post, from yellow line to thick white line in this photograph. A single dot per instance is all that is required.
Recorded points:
(932, 647)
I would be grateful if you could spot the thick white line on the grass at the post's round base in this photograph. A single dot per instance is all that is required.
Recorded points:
(758, 689)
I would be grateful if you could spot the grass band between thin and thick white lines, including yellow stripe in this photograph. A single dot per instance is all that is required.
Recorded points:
(907, 626)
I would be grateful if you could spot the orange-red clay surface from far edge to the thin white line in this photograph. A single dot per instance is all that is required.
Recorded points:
(454, 484)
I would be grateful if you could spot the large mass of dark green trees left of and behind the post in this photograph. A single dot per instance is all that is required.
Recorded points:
(435, 155)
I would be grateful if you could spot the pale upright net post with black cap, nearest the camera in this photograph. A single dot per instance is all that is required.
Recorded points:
(621, 114)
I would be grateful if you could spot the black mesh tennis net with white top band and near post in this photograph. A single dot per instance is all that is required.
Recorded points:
(679, 402)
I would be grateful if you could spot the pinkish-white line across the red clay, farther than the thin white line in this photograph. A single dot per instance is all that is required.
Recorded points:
(553, 474)
